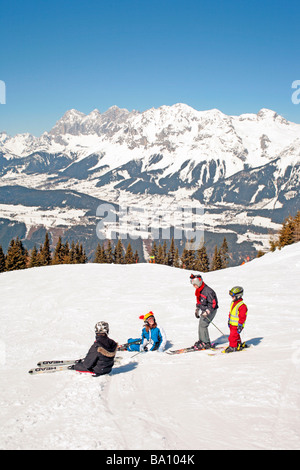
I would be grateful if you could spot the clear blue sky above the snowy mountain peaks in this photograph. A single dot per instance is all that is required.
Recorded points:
(238, 56)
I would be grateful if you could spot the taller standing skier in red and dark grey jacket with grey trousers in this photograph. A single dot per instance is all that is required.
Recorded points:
(206, 309)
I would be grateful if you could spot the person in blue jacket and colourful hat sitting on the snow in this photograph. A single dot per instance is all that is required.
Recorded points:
(153, 337)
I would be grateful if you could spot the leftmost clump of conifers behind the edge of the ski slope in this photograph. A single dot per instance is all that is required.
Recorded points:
(18, 257)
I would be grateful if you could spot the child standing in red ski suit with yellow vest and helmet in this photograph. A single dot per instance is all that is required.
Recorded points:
(237, 318)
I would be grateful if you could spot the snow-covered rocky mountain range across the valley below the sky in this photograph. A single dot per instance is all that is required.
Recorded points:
(244, 170)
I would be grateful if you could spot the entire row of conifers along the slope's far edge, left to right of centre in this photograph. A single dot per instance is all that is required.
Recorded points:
(18, 257)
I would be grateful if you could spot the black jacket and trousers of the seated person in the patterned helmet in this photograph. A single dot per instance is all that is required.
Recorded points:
(100, 358)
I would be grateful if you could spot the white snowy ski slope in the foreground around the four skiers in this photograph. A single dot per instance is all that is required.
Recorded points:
(246, 400)
